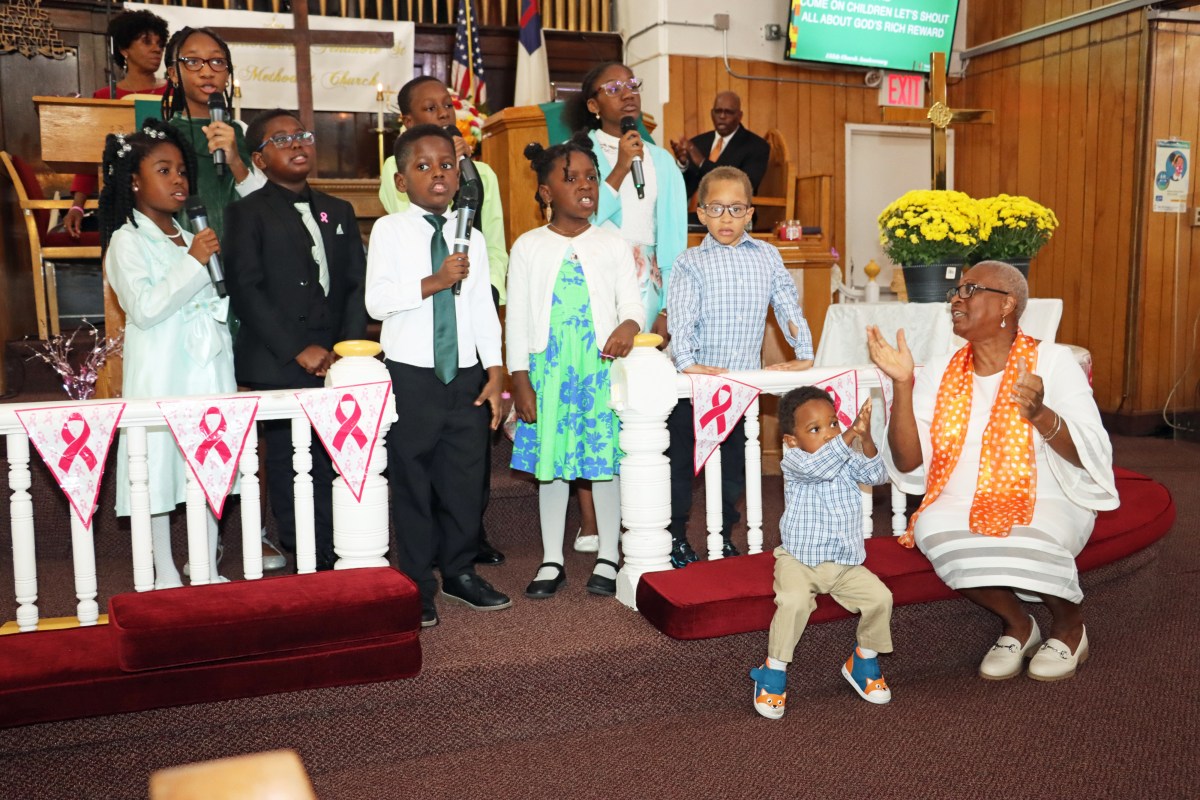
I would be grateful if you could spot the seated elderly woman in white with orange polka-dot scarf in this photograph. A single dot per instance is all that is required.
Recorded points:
(1006, 442)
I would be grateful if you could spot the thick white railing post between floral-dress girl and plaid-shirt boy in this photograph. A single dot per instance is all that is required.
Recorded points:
(644, 393)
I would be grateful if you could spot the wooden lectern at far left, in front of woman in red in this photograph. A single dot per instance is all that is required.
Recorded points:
(73, 131)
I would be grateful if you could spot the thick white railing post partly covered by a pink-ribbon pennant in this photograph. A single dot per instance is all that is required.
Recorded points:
(362, 528)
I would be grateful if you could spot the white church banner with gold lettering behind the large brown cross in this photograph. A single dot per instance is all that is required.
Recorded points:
(344, 79)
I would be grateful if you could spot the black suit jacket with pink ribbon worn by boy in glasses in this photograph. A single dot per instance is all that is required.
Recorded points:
(272, 278)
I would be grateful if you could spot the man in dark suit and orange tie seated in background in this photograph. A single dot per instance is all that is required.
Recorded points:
(728, 146)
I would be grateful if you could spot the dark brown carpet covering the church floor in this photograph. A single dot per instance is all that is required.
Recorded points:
(580, 697)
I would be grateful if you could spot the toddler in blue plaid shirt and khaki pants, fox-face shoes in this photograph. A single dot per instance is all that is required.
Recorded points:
(823, 550)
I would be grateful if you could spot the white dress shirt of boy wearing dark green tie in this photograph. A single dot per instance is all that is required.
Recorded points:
(398, 262)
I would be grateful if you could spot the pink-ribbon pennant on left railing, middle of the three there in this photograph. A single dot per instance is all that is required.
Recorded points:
(212, 435)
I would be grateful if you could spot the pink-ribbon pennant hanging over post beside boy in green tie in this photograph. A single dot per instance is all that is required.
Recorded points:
(347, 422)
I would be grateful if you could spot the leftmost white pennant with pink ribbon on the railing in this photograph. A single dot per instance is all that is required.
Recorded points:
(74, 442)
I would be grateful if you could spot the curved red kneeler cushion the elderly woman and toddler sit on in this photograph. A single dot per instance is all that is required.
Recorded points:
(712, 599)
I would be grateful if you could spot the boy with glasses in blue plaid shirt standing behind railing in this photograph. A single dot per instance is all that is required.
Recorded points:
(717, 309)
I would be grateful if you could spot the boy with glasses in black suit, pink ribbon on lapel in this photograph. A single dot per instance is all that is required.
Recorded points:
(296, 270)
